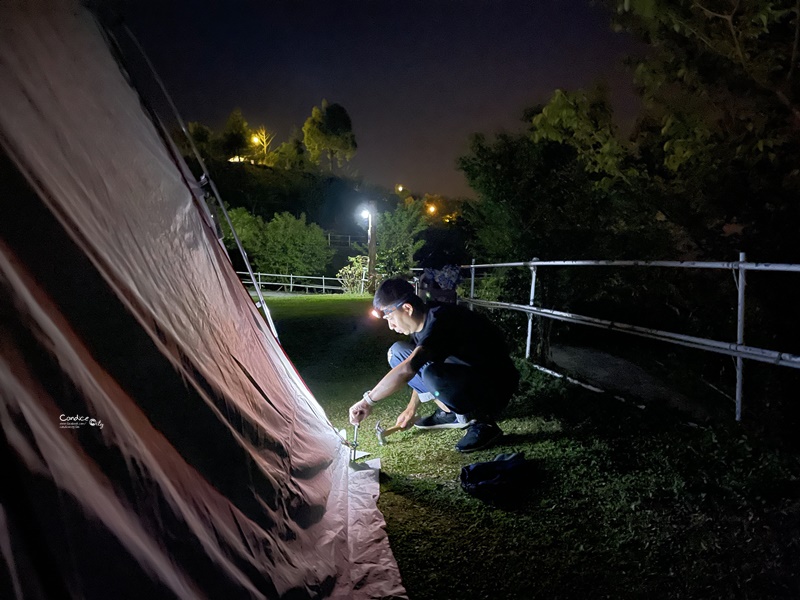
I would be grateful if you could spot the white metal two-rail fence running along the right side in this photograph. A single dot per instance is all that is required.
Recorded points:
(737, 349)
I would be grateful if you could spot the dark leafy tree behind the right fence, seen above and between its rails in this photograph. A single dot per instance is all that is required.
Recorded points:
(538, 199)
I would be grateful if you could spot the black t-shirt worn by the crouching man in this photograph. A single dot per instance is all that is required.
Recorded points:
(452, 331)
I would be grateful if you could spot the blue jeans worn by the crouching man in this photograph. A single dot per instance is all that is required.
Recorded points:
(462, 388)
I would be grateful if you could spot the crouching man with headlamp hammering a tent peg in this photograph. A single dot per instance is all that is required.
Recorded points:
(454, 357)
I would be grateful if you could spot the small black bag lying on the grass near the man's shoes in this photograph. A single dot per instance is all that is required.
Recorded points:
(506, 479)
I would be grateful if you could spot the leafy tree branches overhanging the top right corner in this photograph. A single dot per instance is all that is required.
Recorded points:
(755, 44)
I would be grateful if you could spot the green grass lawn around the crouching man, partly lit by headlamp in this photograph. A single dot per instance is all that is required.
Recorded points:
(625, 503)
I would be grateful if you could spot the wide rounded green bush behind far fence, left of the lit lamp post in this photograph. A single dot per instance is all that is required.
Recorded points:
(292, 246)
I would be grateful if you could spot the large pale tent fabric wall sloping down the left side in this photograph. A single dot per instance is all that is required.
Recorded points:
(156, 441)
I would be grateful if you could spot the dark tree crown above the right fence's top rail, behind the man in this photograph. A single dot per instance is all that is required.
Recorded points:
(537, 198)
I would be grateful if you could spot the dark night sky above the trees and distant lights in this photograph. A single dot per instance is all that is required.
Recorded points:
(417, 78)
